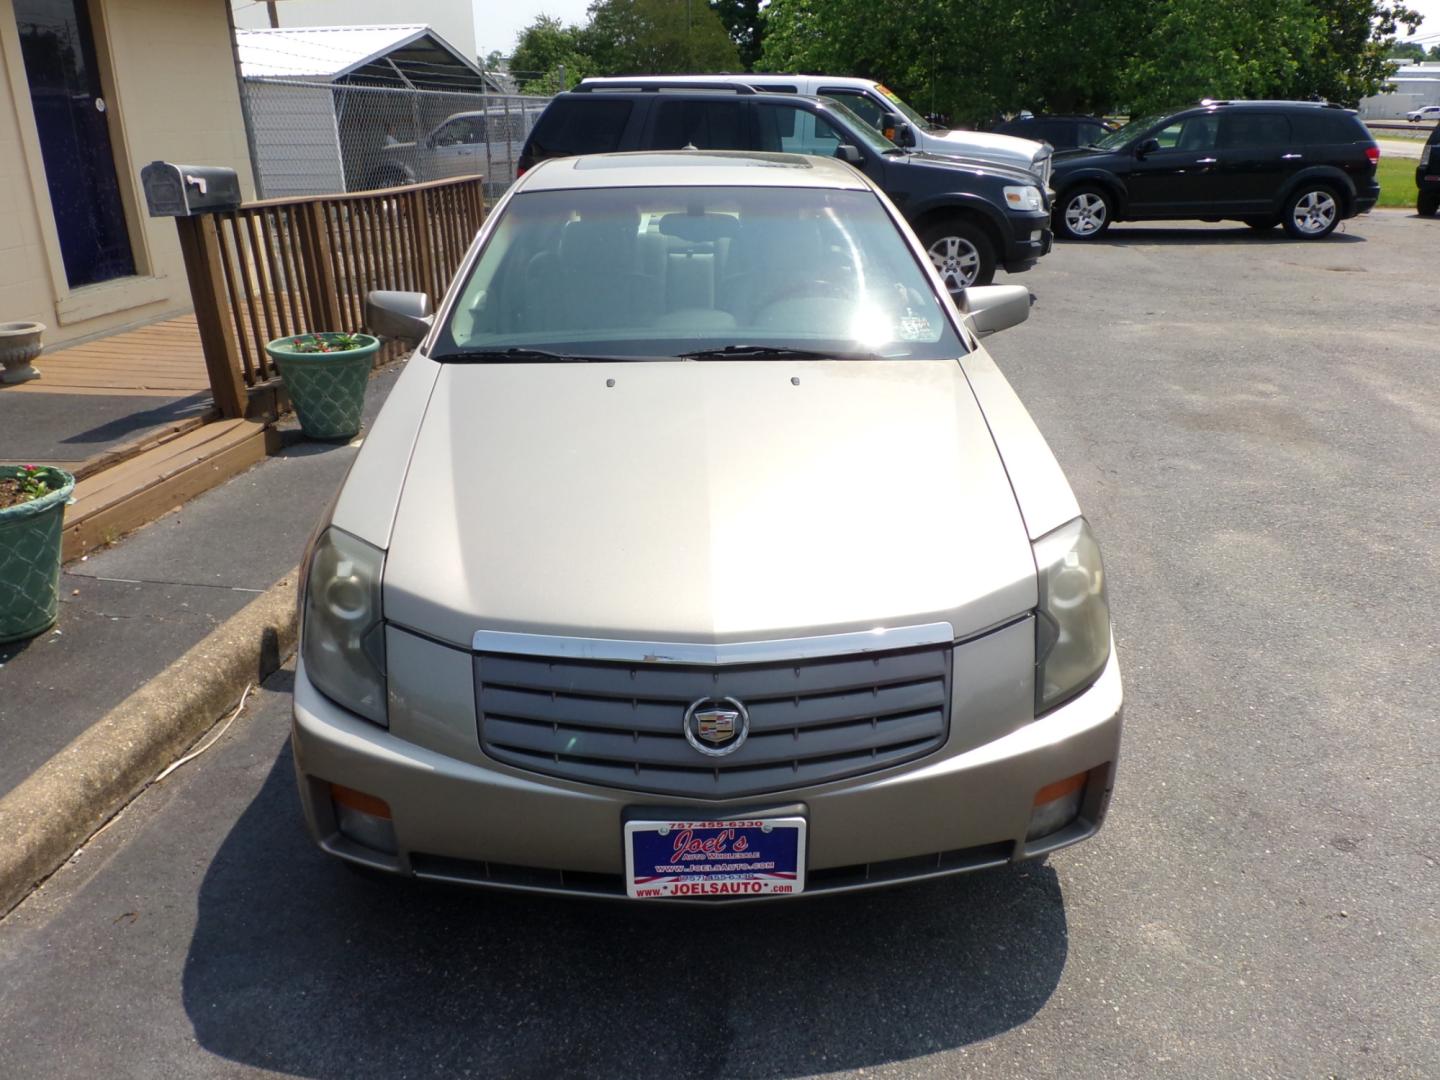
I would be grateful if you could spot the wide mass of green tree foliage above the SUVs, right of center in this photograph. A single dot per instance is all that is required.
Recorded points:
(974, 58)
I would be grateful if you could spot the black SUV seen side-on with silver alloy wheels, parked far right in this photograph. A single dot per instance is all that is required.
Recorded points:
(1302, 165)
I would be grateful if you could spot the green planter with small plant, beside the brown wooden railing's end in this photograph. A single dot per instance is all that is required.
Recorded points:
(326, 377)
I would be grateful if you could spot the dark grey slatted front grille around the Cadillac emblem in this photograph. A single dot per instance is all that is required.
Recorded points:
(621, 725)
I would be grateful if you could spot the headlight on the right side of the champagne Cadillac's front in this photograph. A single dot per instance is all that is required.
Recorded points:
(1074, 623)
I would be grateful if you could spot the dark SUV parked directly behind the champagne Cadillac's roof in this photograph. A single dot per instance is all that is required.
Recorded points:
(971, 217)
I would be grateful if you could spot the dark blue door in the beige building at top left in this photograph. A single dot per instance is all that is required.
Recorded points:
(80, 163)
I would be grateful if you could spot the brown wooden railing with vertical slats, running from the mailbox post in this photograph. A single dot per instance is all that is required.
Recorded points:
(284, 267)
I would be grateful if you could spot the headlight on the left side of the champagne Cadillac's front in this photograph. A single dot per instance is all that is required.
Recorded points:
(343, 636)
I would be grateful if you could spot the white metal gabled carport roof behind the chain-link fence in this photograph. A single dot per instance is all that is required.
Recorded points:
(395, 55)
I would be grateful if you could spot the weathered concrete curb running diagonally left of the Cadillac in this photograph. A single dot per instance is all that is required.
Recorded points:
(61, 806)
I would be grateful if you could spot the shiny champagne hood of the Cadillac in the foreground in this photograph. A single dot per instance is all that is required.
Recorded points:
(705, 502)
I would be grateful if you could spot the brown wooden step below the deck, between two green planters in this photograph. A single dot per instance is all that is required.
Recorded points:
(142, 489)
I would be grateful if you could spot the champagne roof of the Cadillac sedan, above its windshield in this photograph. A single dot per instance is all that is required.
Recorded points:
(692, 169)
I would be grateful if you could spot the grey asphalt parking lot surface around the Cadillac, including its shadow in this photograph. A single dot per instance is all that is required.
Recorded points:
(1254, 427)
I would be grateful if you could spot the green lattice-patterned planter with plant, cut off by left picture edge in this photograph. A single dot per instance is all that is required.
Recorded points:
(32, 512)
